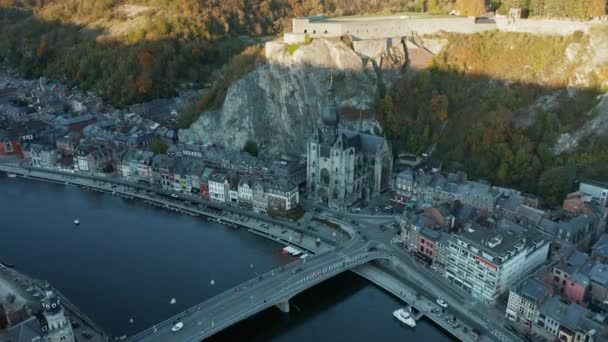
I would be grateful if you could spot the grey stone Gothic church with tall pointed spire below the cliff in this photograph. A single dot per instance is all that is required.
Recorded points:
(345, 166)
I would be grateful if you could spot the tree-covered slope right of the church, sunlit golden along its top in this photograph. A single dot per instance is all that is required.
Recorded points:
(504, 98)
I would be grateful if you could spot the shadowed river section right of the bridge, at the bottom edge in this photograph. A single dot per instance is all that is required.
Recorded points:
(344, 308)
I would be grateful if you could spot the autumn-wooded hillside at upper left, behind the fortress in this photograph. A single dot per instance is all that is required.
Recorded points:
(138, 50)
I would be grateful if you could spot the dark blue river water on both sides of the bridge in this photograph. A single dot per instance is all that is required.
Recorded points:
(127, 260)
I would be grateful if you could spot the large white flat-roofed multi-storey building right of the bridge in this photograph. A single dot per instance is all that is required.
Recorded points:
(486, 262)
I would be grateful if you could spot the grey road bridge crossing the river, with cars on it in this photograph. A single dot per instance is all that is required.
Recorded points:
(274, 288)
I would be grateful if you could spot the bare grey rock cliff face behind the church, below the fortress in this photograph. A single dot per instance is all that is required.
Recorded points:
(279, 104)
